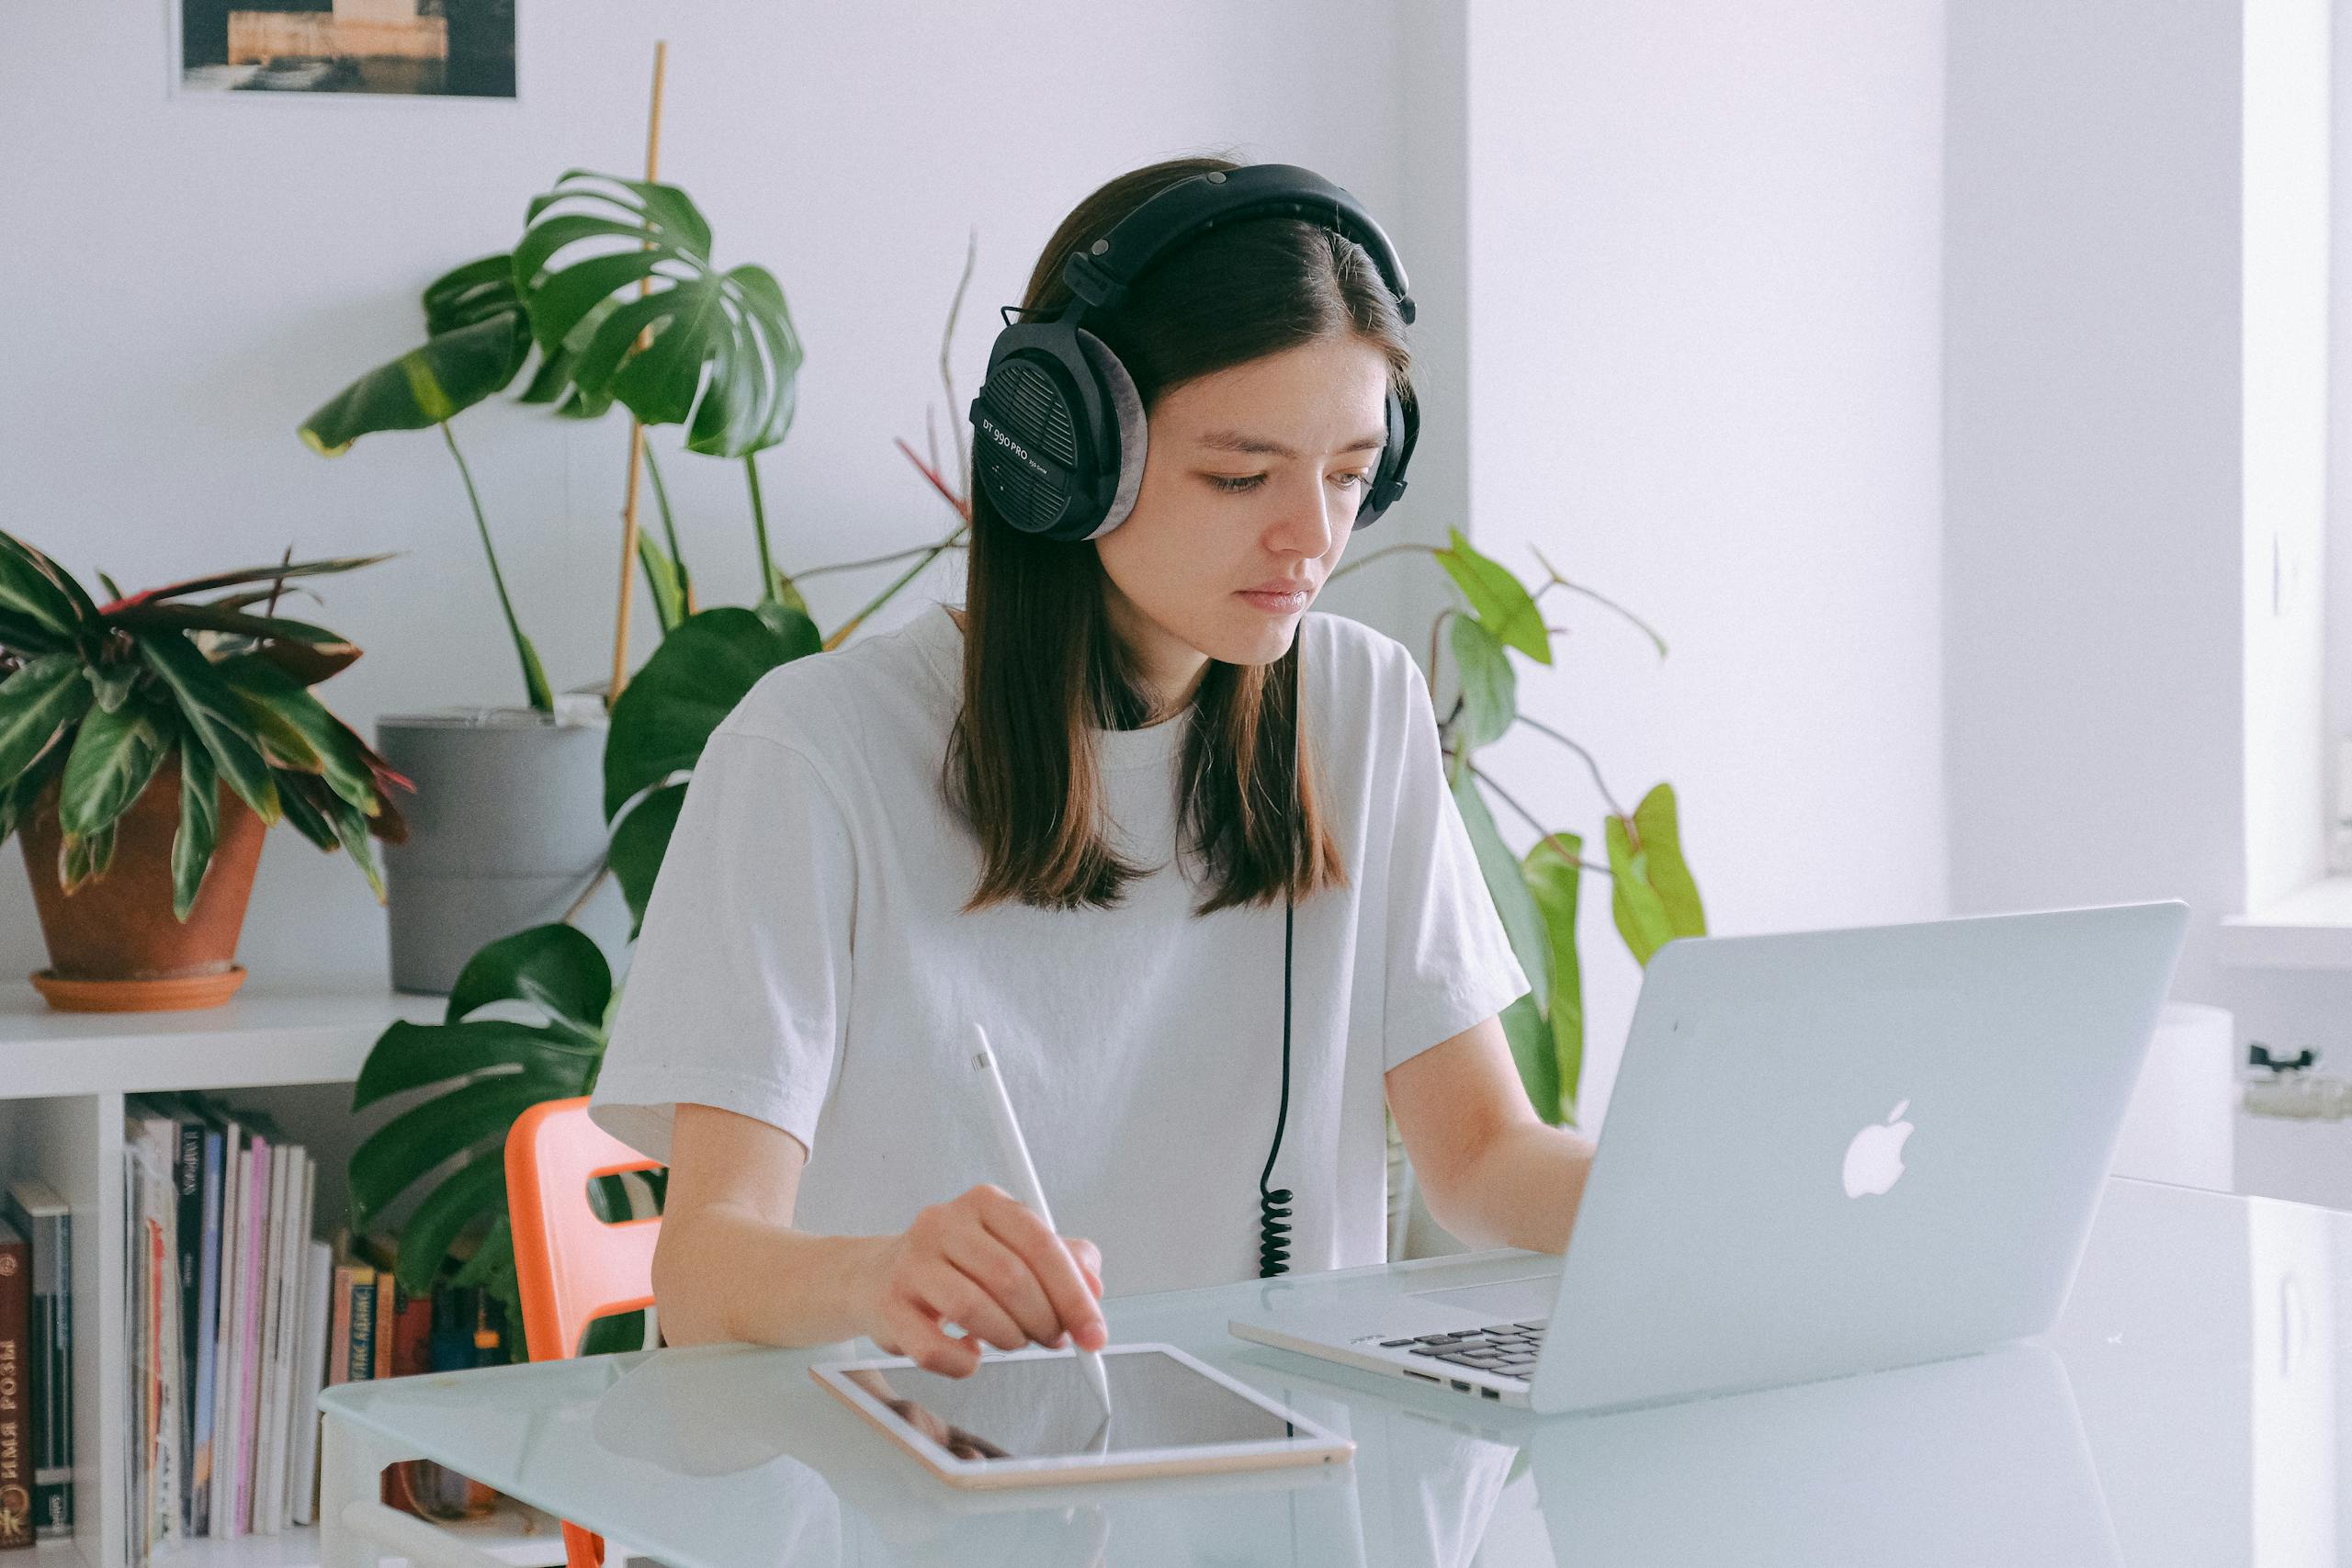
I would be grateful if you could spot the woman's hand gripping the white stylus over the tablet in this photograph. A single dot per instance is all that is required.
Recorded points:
(987, 1264)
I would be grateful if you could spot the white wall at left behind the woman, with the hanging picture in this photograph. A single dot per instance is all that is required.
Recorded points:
(199, 274)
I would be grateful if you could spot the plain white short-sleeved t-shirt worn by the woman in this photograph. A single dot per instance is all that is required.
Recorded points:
(806, 960)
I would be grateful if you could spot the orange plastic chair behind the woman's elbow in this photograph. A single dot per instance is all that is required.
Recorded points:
(570, 1266)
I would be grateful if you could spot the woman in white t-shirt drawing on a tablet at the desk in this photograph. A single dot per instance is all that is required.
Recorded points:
(1182, 845)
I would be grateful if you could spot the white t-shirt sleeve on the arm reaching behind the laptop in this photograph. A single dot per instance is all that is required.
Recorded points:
(1450, 963)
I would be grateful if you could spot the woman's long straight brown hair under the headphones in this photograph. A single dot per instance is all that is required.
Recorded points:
(1043, 664)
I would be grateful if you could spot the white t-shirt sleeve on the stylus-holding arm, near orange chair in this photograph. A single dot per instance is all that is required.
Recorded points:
(740, 989)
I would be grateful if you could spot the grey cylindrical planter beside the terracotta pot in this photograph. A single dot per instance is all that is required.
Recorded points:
(507, 831)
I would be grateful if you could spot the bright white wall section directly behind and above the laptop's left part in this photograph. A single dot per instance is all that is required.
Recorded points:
(1704, 366)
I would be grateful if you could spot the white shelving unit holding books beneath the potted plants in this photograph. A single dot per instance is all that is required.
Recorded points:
(62, 1085)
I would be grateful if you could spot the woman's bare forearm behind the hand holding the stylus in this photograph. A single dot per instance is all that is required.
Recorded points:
(728, 1273)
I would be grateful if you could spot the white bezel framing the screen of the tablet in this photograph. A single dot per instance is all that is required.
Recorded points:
(1314, 1442)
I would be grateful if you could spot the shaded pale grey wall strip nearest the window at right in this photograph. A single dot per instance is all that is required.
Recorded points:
(2094, 460)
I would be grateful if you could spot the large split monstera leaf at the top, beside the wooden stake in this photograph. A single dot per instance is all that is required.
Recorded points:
(629, 307)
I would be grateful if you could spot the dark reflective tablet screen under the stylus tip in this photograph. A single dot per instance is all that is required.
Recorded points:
(1045, 1409)
